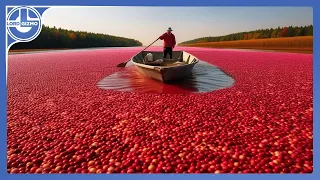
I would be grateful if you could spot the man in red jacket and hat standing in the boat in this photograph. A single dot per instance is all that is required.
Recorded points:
(169, 41)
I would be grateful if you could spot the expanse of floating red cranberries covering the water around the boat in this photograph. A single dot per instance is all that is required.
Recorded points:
(60, 121)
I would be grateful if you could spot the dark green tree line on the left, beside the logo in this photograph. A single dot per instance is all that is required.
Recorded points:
(62, 38)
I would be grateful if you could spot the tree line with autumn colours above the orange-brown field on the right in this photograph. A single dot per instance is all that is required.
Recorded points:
(258, 34)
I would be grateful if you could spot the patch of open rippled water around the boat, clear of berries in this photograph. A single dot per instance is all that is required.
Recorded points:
(204, 78)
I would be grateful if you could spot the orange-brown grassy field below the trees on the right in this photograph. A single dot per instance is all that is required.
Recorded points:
(302, 44)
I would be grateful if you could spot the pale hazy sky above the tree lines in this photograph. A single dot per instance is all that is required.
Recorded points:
(147, 23)
